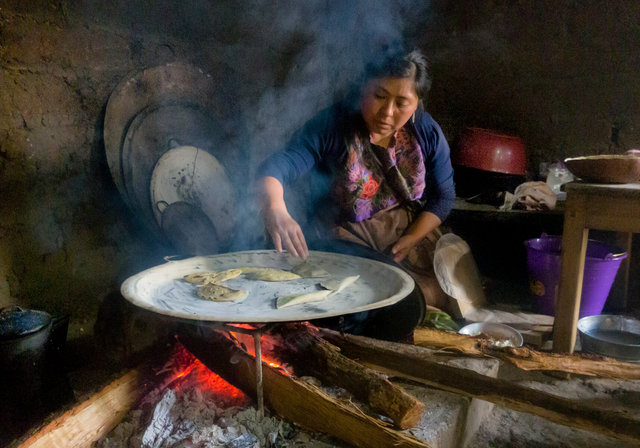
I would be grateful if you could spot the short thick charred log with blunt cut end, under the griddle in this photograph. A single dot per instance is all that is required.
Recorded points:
(311, 355)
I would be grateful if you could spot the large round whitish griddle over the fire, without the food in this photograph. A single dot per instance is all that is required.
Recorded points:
(161, 289)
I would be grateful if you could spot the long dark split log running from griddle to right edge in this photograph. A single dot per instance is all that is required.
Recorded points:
(417, 363)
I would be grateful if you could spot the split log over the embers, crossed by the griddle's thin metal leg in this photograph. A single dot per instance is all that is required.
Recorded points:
(292, 399)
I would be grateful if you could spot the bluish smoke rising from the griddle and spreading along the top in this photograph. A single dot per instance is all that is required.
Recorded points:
(275, 65)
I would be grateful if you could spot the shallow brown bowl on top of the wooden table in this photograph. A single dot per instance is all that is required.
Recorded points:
(606, 168)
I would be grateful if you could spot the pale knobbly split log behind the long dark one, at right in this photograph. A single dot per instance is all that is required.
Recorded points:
(527, 359)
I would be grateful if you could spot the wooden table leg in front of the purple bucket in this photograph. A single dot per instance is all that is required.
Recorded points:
(574, 248)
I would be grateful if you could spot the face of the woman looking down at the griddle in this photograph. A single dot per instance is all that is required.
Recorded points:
(387, 104)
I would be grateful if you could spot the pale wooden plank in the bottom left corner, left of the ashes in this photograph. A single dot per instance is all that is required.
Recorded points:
(89, 421)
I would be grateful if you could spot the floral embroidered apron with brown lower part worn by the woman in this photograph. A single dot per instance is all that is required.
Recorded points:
(375, 190)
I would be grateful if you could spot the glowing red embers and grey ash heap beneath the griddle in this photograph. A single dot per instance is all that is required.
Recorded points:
(195, 407)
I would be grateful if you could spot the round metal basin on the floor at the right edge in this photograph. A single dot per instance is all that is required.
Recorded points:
(609, 335)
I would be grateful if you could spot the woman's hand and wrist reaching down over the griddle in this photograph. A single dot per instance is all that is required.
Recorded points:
(284, 231)
